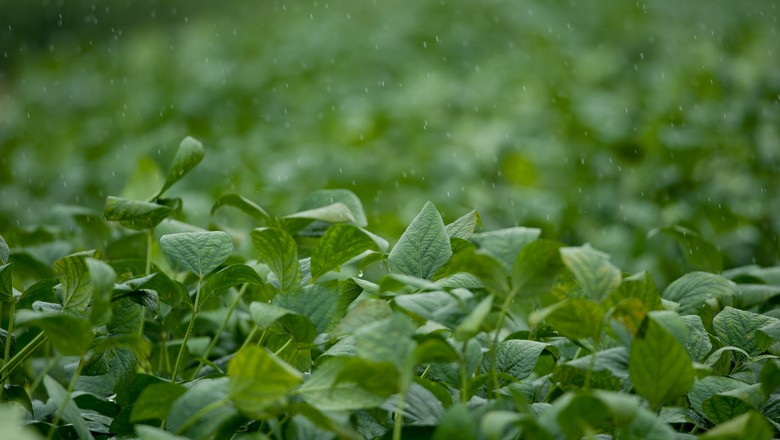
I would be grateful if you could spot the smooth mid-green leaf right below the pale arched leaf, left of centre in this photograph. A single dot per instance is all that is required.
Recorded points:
(340, 243)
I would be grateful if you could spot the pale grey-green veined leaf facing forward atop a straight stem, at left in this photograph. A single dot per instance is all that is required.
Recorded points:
(200, 252)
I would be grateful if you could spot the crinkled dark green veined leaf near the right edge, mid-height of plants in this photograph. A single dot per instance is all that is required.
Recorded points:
(738, 328)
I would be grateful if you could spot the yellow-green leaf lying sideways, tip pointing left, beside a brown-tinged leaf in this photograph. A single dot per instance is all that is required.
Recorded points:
(574, 318)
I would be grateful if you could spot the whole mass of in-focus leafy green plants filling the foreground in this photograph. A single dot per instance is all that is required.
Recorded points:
(173, 330)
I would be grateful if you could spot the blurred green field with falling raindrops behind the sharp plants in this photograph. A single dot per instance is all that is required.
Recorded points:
(597, 122)
